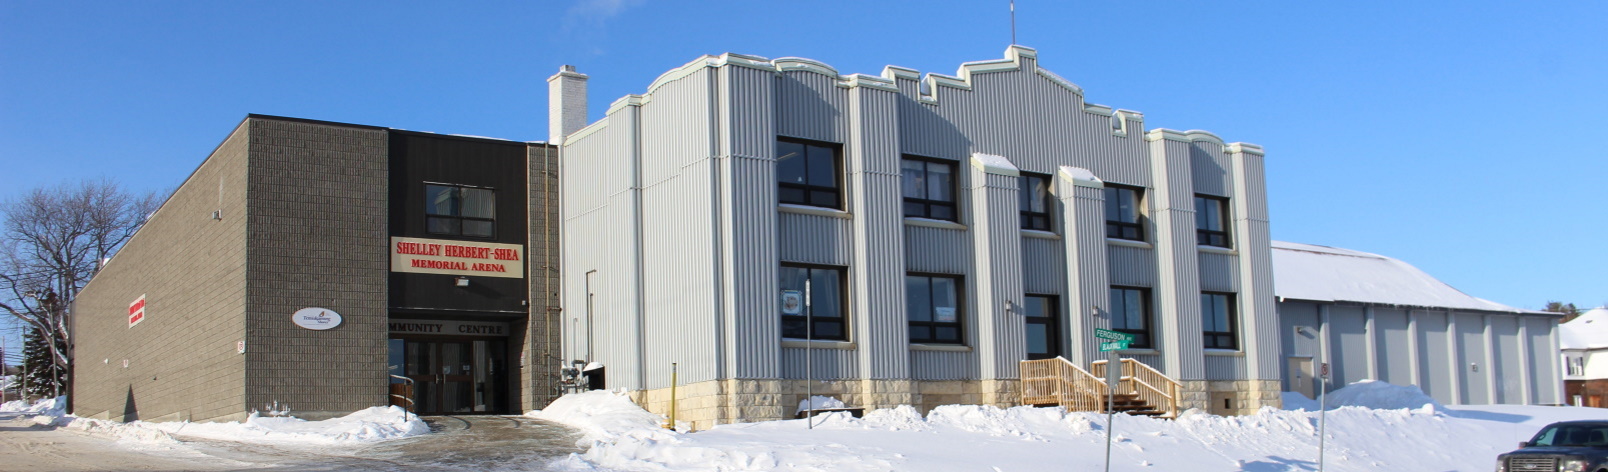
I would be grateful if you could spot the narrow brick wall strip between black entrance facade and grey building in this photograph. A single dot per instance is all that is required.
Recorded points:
(539, 376)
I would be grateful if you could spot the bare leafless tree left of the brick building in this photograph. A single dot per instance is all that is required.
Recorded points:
(52, 242)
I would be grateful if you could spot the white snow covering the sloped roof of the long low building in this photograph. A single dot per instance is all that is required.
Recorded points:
(1342, 275)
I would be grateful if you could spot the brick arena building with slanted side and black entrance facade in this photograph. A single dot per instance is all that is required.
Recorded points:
(324, 269)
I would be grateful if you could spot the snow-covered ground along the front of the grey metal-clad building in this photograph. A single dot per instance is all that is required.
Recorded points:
(1372, 426)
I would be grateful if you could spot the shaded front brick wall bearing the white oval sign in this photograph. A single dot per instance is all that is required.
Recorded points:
(318, 218)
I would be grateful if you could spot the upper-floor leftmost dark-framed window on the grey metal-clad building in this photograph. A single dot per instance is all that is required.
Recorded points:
(810, 174)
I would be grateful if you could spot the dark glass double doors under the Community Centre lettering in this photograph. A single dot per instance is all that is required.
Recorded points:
(451, 376)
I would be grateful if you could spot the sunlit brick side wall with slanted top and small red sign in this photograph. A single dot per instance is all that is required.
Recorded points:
(183, 362)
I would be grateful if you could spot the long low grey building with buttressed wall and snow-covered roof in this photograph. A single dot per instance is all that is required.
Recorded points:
(1387, 320)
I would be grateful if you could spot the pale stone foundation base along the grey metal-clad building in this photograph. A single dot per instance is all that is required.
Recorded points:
(703, 405)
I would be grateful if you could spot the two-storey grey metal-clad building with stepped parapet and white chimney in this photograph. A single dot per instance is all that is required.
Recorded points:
(950, 227)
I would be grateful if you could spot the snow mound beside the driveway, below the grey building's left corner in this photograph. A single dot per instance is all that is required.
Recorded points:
(599, 415)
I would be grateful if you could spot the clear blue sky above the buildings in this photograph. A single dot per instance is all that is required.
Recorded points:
(1464, 139)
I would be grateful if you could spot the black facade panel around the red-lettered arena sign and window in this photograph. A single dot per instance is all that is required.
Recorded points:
(419, 160)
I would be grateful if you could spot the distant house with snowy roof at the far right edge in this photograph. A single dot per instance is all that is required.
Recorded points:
(1585, 344)
